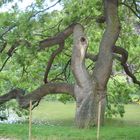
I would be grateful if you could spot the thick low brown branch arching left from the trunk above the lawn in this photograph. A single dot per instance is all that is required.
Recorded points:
(36, 95)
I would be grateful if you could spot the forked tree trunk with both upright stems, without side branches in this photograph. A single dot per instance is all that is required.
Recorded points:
(89, 91)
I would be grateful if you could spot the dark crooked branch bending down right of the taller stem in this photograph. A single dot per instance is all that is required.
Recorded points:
(123, 60)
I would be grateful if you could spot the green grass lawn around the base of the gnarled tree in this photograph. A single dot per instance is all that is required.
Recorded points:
(55, 122)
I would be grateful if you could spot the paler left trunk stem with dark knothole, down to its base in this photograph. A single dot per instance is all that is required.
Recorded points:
(83, 88)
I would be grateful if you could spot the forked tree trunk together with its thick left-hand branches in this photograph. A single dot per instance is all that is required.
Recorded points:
(88, 89)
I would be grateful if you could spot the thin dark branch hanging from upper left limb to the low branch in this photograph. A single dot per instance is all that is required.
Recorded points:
(56, 52)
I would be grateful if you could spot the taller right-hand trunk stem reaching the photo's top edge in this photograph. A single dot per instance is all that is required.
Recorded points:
(103, 65)
